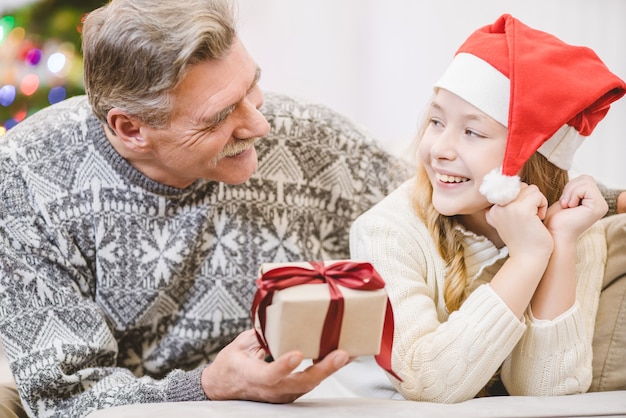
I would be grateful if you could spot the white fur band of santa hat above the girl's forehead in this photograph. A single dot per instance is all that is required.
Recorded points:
(480, 84)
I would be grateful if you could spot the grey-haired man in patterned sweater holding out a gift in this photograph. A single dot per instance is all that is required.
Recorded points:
(128, 253)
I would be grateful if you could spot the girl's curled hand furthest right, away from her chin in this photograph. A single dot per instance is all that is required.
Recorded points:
(580, 206)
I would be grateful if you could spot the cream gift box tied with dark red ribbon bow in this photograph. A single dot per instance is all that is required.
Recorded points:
(316, 307)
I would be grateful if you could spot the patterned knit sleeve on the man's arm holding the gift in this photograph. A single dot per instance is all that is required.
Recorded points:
(61, 349)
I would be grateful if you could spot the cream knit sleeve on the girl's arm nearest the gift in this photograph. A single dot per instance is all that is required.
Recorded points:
(439, 358)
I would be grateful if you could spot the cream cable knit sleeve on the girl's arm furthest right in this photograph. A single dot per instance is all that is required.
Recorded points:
(554, 357)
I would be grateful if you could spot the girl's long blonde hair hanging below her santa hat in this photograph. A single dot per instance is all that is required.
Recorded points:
(538, 171)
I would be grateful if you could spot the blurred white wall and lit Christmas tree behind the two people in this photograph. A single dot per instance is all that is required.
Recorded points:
(373, 60)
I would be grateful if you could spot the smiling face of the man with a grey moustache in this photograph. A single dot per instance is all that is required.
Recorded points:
(213, 126)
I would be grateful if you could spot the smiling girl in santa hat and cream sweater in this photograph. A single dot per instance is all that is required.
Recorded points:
(493, 259)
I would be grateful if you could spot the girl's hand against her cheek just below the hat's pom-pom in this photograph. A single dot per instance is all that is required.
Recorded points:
(519, 223)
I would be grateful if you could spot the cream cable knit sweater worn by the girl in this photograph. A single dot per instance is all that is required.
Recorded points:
(445, 357)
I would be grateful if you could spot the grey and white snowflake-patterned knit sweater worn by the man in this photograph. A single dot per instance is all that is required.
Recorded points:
(115, 289)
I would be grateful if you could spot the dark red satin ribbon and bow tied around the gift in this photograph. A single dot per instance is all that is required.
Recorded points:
(353, 275)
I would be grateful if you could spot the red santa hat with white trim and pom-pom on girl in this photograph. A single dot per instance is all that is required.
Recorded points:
(550, 95)
